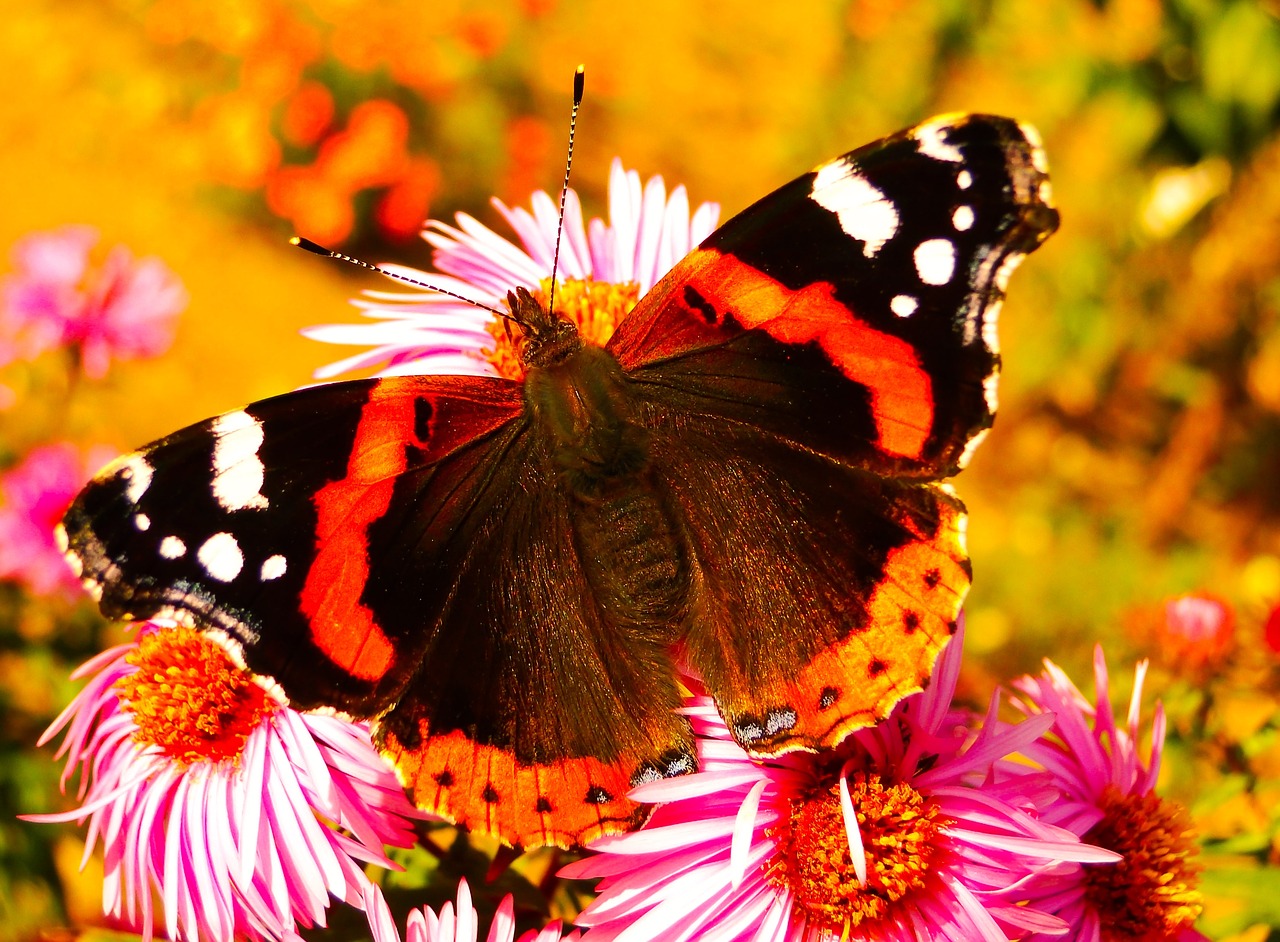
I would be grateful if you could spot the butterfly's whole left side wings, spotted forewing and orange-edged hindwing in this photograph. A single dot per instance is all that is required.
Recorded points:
(399, 550)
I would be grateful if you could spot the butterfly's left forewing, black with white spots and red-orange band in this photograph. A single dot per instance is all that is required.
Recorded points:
(259, 525)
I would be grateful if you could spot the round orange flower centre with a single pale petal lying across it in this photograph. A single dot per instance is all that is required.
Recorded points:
(900, 833)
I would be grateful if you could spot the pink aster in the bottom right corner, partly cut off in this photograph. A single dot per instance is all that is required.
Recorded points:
(1108, 795)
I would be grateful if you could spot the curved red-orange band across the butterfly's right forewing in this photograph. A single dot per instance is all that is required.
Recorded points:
(900, 390)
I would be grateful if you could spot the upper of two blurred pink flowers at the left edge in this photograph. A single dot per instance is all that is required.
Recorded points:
(122, 309)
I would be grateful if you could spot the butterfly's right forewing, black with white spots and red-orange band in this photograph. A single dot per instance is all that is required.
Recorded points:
(853, 312)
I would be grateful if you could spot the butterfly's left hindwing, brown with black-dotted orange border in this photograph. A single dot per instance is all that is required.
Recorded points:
(533, 715)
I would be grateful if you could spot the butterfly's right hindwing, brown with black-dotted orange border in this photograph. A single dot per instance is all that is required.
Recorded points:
(824, 593)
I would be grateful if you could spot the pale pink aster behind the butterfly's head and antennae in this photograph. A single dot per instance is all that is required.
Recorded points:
(604, 272)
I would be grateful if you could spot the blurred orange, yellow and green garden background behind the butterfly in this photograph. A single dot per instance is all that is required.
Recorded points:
(1130, 493)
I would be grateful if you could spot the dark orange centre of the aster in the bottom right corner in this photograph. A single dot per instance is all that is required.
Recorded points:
(1153, 893)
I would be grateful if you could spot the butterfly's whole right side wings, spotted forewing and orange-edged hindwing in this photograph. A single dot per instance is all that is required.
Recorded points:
(831, 354)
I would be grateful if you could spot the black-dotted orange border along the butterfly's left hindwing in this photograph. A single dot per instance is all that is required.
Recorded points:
(568, 803)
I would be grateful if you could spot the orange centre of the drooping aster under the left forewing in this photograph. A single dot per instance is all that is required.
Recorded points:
(190, 698)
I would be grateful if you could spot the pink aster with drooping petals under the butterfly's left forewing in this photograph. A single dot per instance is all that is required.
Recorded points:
(239, 815)
